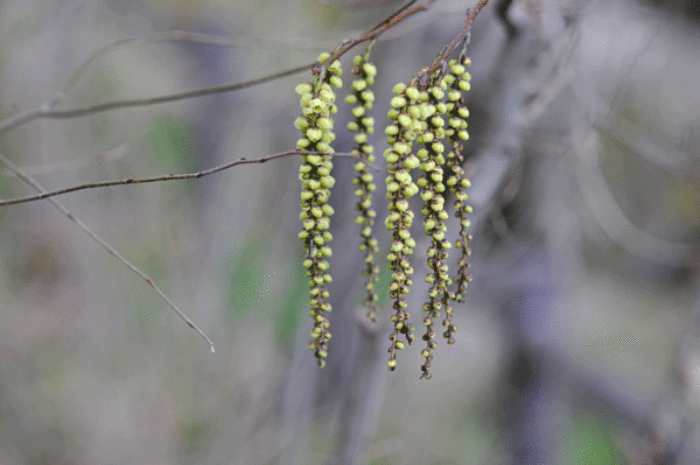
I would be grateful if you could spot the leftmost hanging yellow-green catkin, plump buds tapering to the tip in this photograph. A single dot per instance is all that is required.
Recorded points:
(318, 103)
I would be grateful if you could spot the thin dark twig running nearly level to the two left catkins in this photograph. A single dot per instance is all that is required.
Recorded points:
(168, 177)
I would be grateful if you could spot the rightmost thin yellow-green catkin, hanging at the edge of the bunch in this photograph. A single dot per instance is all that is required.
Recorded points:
(458, 81)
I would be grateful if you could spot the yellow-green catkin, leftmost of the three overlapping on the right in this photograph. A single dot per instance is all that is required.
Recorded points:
(409, 114)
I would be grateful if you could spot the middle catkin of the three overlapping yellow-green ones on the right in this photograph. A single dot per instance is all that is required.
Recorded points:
(434, 214)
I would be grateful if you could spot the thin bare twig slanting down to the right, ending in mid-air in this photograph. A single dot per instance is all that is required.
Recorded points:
(29, 180)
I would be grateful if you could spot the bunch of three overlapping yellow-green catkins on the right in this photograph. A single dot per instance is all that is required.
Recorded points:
(428, 117)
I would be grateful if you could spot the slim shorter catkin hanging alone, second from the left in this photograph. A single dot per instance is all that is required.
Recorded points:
(362, 125)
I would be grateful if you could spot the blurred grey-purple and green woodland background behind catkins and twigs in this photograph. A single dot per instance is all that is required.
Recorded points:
(579, 342)
